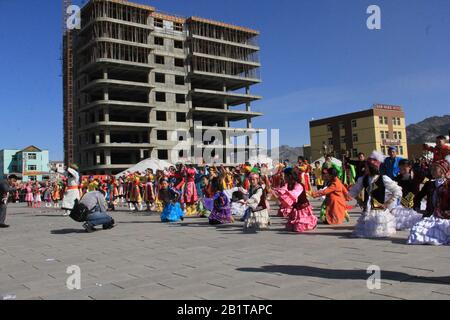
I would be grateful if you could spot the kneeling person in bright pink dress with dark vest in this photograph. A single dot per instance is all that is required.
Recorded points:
(294, 204)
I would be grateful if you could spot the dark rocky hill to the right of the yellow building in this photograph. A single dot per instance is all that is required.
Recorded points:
(428, 129)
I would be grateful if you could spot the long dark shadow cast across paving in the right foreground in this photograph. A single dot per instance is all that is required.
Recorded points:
(344, 274)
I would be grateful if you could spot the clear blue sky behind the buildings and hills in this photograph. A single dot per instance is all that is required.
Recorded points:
(318, 60)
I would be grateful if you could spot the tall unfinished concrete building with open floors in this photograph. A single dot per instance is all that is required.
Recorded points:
(144, 80)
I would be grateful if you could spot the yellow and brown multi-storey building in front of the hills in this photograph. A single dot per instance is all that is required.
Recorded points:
(378, 128)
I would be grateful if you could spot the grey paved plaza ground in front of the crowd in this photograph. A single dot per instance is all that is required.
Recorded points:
(144, 259)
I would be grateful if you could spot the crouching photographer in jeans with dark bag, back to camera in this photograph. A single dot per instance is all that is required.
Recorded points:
(92, 210)
